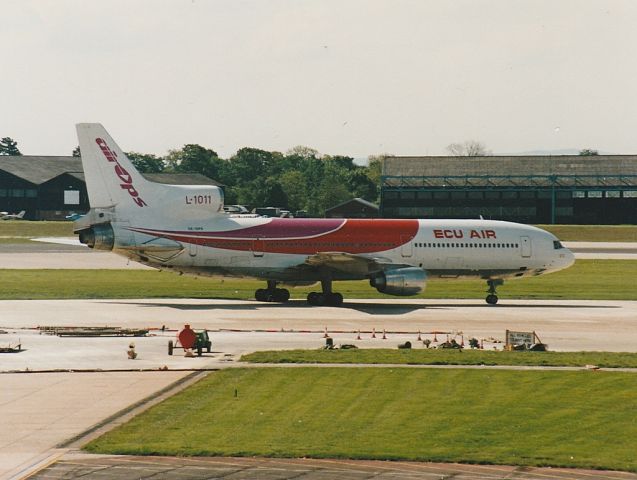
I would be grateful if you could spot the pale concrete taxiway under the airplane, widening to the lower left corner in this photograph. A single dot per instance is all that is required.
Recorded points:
(48, 408)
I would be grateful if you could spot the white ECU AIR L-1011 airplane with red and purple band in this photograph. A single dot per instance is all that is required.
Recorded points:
(185, 229)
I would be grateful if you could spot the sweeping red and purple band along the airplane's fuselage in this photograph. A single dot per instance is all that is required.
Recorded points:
(355, 236)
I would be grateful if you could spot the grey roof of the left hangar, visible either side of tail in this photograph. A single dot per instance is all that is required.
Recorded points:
(41, 169)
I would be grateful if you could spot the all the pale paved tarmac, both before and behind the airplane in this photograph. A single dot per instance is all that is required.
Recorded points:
(60, 390)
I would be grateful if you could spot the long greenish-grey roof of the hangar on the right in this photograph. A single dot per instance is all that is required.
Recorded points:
(510, 170)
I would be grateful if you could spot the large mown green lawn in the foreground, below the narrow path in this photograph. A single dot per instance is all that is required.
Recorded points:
(568, 419)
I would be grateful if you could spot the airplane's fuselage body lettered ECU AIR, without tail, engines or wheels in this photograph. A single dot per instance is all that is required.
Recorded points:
(443, 248)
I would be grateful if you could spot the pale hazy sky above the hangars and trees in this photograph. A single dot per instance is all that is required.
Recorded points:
(347, 77)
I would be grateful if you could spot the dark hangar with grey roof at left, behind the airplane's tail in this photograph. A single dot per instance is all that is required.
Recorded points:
(50, 188)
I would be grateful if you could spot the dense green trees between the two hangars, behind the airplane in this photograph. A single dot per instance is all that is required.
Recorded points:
(300, 179)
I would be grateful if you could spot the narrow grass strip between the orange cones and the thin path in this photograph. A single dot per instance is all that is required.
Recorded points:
(446, 357)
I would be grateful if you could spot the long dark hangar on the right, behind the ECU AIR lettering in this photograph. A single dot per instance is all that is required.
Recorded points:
(567, 189)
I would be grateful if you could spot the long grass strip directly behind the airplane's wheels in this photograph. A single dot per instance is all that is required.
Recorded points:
(587, 279)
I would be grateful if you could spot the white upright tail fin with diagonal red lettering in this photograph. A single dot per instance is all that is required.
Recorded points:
(111, 178)
